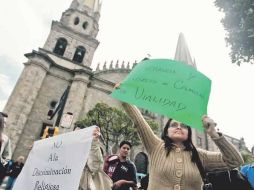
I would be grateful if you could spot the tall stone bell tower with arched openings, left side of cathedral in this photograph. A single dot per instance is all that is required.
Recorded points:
(63, 61)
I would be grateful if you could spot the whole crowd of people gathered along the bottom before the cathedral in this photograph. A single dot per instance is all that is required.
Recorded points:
(173, 158)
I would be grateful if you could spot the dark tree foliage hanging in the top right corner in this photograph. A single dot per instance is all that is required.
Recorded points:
(239, 24)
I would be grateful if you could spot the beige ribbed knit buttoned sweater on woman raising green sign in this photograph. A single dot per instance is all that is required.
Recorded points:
(177, 172)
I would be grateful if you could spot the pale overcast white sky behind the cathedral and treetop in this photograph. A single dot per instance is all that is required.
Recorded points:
(131, 29)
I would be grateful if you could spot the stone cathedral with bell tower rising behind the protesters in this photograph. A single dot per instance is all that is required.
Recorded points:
(65, 62)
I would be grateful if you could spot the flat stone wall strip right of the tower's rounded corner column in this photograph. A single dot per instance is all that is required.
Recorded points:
(51, 90)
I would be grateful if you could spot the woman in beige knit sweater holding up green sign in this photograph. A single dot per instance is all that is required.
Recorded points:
(173, 158)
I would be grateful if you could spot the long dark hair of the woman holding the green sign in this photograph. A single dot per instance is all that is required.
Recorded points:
(188, 143)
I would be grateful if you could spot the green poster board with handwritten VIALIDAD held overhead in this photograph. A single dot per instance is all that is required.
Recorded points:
(168, 87)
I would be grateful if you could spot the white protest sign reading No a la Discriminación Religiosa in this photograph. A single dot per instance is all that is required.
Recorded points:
(56, 163)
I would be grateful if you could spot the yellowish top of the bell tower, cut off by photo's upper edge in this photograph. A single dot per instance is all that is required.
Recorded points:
(81, 5)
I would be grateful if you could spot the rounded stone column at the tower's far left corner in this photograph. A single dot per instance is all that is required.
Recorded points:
(23, 97)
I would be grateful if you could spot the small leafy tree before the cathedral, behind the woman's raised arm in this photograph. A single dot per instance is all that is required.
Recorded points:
(114, 123)
